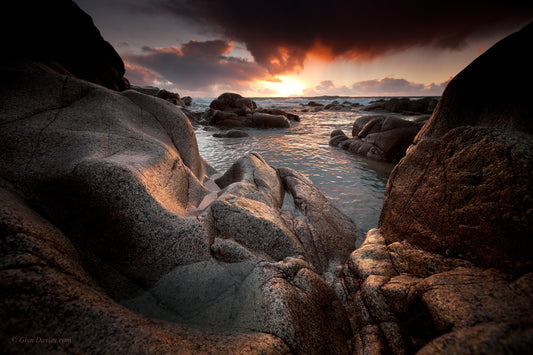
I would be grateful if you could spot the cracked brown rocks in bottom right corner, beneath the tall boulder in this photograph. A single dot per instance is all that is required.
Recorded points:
(403, 299)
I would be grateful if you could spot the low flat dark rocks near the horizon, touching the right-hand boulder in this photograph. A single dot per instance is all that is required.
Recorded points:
(404, 105)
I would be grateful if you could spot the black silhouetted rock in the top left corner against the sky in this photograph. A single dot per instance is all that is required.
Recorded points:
(59, 33)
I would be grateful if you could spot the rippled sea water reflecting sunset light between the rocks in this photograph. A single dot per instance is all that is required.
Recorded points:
(354, 184)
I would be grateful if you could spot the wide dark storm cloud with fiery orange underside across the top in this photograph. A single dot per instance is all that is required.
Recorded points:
(280, 33)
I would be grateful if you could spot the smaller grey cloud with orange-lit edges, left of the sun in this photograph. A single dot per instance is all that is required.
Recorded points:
(194, 65)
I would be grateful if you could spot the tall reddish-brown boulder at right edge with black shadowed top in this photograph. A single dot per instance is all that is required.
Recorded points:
(464, 189)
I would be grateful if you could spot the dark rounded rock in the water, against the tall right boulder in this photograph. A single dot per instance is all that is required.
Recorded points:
(379, 137)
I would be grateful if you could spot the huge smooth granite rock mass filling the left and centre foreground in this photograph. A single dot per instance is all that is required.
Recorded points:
(107, 203)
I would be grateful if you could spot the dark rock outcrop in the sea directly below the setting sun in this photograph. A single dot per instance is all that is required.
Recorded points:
(233, 110)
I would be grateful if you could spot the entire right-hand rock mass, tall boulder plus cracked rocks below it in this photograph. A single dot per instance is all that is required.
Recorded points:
(449, 271)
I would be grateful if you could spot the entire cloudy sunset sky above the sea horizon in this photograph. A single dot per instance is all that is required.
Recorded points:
(202, 48)
